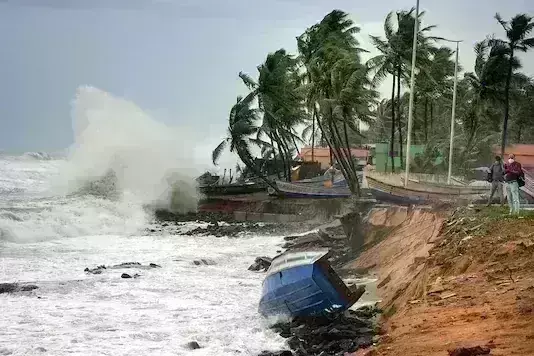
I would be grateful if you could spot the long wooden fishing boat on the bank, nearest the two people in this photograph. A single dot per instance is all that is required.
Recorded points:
(421, 193)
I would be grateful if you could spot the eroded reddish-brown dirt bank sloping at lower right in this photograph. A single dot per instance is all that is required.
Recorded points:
(468, 282)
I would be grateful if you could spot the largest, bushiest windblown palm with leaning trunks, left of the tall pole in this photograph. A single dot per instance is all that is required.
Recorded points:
(337, 86)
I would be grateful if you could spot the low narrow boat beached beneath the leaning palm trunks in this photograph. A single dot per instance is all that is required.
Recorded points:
(293, 190)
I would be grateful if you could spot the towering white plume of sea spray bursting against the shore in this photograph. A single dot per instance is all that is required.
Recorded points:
(151, 161)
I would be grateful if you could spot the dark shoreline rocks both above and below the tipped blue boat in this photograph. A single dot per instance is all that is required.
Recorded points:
(330, 334)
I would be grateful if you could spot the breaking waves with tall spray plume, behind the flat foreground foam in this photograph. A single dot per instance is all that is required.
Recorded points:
(121, 162)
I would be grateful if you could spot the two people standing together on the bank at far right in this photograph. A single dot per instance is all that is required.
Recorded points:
(509, 175)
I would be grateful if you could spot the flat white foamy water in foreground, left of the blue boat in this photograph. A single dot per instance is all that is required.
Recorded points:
(157, 313)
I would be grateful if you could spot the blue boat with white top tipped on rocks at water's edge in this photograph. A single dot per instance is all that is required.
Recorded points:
(302, 283)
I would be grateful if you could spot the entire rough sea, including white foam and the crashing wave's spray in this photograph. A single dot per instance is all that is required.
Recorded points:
(59, 215)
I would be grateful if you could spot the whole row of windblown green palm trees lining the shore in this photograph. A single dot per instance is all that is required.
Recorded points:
(329, 91)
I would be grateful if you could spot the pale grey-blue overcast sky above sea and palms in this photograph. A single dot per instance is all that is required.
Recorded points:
(177, 59)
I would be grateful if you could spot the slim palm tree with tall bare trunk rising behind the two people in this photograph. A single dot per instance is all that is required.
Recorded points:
(517, 31)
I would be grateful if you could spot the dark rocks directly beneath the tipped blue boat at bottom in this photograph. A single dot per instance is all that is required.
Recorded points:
(330, 334)
